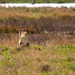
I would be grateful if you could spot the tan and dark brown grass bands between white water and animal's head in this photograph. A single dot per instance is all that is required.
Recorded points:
(37, 20)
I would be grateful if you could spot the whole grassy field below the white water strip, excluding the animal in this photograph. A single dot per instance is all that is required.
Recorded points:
(51, 34)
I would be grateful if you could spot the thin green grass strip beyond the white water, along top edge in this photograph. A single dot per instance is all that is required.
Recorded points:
(37, 1)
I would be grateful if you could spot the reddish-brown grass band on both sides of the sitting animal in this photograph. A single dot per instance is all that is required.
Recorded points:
(53, 38)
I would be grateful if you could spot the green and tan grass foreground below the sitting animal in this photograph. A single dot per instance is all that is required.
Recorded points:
(38, 60)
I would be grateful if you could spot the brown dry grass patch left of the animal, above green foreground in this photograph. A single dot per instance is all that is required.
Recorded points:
(9, 40)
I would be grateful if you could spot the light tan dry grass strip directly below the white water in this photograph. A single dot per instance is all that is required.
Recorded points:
(15, 12)
